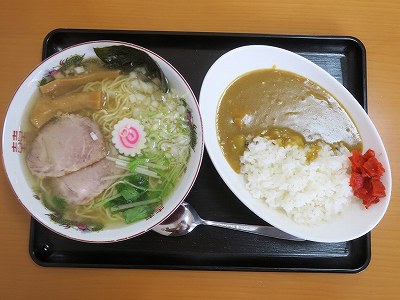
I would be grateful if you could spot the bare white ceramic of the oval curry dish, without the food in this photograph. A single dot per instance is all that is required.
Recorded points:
(355, 221)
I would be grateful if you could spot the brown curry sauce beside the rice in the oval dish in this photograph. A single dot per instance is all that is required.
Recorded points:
(284, 106)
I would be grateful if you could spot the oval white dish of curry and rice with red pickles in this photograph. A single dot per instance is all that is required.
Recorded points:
(254, 184)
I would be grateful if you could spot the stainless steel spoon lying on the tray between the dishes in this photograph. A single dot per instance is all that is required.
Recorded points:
(185, 219)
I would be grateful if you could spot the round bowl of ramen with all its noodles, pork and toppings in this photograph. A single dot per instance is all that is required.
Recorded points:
(102, 141)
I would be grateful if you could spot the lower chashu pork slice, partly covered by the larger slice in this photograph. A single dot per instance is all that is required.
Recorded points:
(80, 187)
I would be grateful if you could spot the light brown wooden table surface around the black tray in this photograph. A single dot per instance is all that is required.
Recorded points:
(24, 24)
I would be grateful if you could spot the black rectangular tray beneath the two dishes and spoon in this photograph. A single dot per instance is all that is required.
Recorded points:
(208, 248)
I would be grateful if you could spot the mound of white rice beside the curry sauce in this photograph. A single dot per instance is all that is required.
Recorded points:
(309, 192)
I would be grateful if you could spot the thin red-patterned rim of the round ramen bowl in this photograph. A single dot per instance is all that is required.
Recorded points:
(36, 70)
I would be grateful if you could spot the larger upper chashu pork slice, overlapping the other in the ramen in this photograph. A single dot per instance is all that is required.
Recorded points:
(64, 145)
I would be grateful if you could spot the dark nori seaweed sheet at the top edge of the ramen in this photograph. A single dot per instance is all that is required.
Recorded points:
(127, 59)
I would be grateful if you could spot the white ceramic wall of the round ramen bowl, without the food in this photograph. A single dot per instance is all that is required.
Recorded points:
(14, 161)
